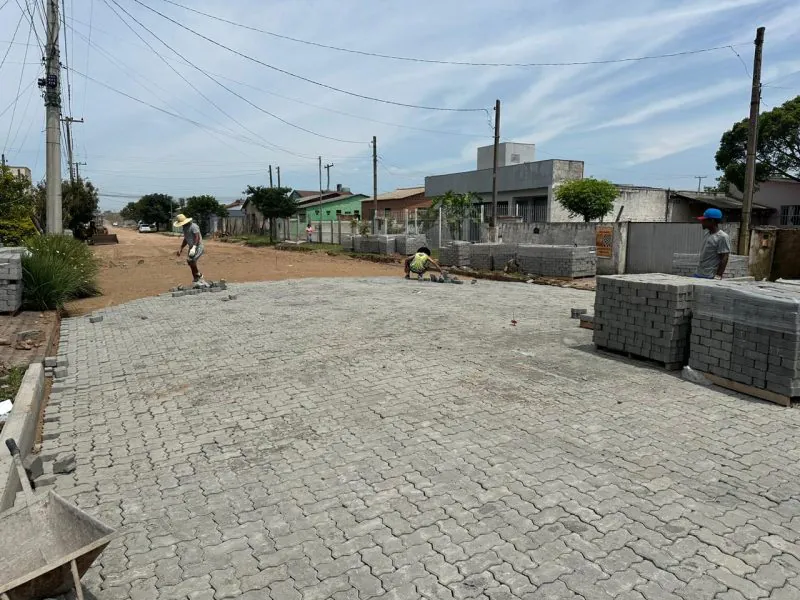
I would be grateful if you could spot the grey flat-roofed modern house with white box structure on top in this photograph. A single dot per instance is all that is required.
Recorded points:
(525, 187)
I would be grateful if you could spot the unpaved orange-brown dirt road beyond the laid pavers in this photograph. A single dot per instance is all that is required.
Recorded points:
(145, 264)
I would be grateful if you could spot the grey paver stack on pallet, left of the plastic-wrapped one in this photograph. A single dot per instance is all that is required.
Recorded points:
(647, 315)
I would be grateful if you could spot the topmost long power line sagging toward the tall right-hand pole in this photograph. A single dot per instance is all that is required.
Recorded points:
(446, 62)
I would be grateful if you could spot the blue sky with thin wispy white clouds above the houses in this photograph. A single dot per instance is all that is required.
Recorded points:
(653, 122)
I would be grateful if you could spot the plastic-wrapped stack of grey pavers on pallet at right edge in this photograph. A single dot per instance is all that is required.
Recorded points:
(748, 333)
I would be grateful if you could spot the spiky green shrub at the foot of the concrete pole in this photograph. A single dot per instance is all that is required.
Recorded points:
(57, 269)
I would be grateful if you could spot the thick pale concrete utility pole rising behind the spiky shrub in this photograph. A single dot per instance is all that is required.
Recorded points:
(52, 103)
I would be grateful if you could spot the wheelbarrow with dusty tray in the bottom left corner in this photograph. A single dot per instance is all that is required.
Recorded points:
(48, 544)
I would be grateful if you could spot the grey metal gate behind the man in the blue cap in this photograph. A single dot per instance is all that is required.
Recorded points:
(651, 245)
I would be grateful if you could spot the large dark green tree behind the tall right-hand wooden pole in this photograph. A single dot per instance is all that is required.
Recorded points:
(778, 150)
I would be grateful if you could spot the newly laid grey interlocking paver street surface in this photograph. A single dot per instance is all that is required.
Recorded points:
(348, 439)
